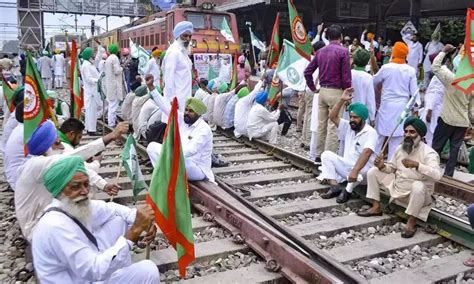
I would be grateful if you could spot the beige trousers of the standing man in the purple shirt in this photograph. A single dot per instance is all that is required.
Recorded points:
(327, 131)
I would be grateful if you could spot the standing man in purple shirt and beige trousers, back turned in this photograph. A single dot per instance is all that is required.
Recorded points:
(334, 77)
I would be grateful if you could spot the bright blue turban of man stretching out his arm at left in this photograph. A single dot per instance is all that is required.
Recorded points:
(42, 138)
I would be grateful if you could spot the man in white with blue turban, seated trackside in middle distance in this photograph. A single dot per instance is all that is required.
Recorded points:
(261, 122)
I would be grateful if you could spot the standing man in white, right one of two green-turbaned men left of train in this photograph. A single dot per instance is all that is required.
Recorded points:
(113, 83)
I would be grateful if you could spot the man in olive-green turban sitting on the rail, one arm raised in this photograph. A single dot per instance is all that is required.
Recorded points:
(196, 136)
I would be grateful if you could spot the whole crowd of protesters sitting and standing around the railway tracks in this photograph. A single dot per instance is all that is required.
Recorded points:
(350, 116)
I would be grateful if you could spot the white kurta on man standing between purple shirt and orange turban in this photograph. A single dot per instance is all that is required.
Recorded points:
(364, 92)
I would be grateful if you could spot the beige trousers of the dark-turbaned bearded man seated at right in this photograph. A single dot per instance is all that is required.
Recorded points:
(419, 196)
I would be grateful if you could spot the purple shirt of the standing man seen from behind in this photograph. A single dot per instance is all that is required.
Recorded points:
(334, 67)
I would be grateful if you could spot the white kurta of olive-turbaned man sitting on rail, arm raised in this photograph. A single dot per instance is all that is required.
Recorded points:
(196, 139)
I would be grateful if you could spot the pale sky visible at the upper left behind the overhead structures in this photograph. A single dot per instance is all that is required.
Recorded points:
(65, 21)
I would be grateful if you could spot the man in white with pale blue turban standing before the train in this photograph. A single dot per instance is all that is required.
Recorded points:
(177, 67)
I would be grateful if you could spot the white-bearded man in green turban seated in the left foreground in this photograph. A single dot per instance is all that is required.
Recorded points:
(78, 240)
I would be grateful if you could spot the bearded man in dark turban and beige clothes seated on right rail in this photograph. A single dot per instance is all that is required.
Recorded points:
(409, 176)
